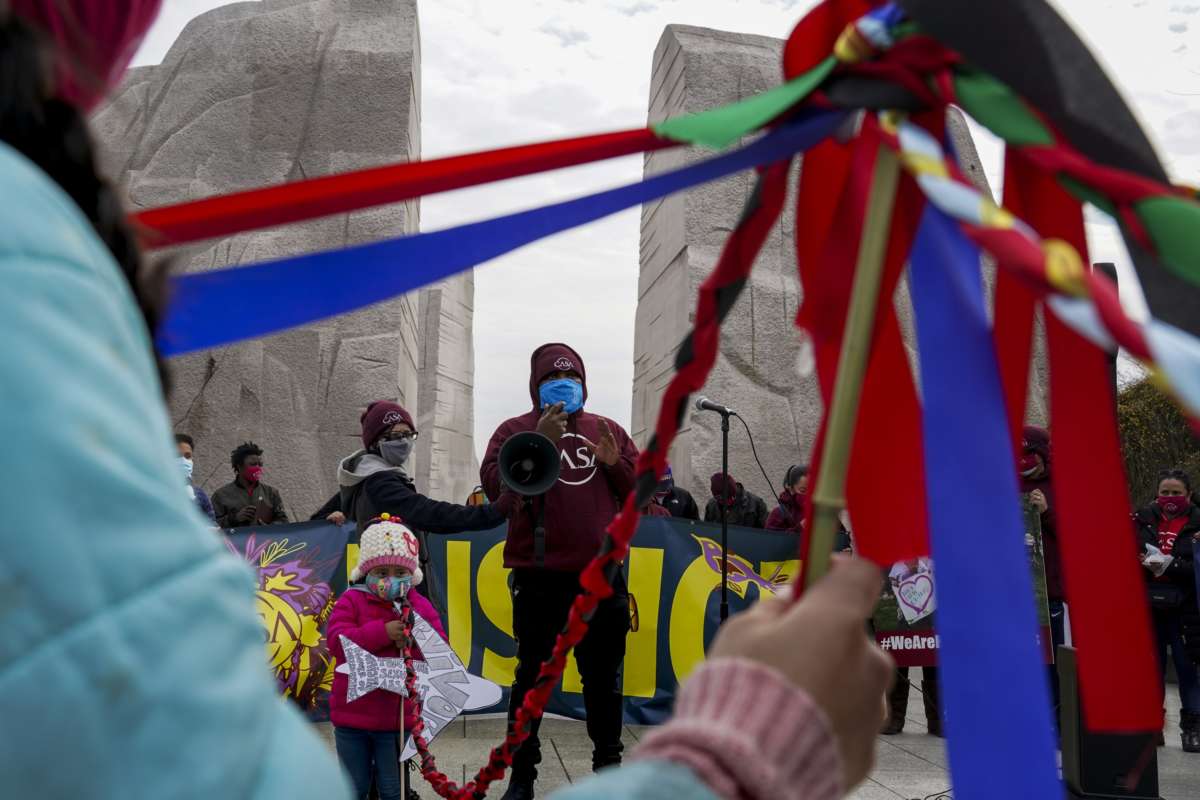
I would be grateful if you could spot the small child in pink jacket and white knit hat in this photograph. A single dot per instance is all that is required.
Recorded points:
(365, 731)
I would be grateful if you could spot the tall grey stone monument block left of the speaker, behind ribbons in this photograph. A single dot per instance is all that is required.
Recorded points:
(257, 94)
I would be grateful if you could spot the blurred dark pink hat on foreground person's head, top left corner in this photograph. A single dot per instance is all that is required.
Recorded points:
(95, 41)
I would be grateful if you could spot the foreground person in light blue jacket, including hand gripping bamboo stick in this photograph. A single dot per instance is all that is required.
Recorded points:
(131, 663)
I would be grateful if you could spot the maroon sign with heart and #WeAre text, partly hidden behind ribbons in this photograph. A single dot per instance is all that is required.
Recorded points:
(905, 619)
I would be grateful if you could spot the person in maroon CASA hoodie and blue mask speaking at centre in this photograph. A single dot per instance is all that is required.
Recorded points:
(553, 539)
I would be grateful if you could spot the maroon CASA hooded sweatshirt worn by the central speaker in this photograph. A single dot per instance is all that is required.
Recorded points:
(589, 494)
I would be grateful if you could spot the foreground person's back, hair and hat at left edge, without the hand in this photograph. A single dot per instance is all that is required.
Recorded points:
(131, 664)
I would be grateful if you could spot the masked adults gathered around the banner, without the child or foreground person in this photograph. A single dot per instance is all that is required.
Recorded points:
(550, 543)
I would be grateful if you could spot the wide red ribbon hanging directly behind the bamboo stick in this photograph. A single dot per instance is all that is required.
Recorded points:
(886, 478)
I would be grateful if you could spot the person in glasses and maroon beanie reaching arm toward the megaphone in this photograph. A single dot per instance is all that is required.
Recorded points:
(375, 482)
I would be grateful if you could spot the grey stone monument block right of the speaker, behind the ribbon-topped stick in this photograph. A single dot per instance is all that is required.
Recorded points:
(759, 371)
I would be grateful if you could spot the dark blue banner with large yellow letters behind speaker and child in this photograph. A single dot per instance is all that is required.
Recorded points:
(674, 575)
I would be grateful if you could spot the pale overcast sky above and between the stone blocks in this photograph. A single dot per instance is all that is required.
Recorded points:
(497, 74)
